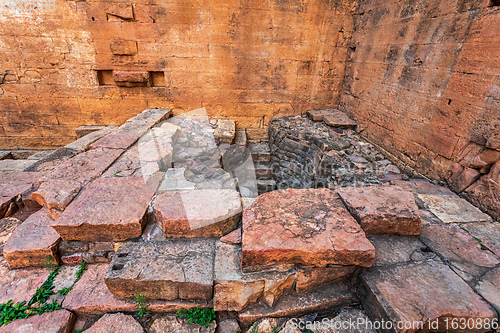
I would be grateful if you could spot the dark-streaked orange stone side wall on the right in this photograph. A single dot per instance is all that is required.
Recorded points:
(423, 82)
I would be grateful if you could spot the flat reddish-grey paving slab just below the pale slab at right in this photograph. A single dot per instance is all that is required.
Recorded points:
(465, 254)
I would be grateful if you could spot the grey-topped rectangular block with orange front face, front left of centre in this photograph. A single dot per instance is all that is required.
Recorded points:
(173, 269)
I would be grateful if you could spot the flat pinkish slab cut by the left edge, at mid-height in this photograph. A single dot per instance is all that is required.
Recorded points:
(14, 184)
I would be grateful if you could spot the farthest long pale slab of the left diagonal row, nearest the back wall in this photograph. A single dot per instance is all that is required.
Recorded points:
(127, 134)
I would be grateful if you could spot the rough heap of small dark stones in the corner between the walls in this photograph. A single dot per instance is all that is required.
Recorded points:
(309, 154)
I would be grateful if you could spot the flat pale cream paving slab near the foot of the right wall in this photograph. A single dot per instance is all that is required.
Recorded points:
(453, 210)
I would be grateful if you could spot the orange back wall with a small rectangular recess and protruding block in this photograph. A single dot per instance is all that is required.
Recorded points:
(102, 62)
